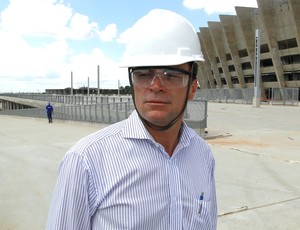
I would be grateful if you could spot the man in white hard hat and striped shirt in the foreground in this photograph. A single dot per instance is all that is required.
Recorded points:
(150, 171)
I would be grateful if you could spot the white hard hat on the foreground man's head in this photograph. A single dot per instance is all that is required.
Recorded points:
(162, 38)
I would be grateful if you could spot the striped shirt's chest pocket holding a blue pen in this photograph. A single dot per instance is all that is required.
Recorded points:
(201, 216)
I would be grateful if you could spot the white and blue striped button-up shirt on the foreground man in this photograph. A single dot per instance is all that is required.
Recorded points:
(120, 178)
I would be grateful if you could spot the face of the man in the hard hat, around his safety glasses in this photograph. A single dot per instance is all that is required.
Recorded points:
(159, 104)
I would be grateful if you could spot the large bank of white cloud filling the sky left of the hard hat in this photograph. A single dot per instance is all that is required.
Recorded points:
(37, 52)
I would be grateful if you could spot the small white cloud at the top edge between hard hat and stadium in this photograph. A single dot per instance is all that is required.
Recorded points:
(218, 6)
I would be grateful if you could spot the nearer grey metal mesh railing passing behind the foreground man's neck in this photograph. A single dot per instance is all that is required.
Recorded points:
(97, 109)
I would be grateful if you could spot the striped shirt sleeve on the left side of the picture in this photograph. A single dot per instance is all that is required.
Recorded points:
(70, 202)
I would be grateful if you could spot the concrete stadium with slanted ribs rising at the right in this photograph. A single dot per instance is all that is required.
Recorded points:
(229, 47)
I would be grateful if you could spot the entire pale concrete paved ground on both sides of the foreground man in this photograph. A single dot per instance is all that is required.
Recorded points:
(257, 153)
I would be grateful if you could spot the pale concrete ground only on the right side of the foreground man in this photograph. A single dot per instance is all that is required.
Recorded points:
(257, 166)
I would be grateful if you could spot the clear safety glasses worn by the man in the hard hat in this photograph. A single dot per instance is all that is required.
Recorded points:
(163, 78)
